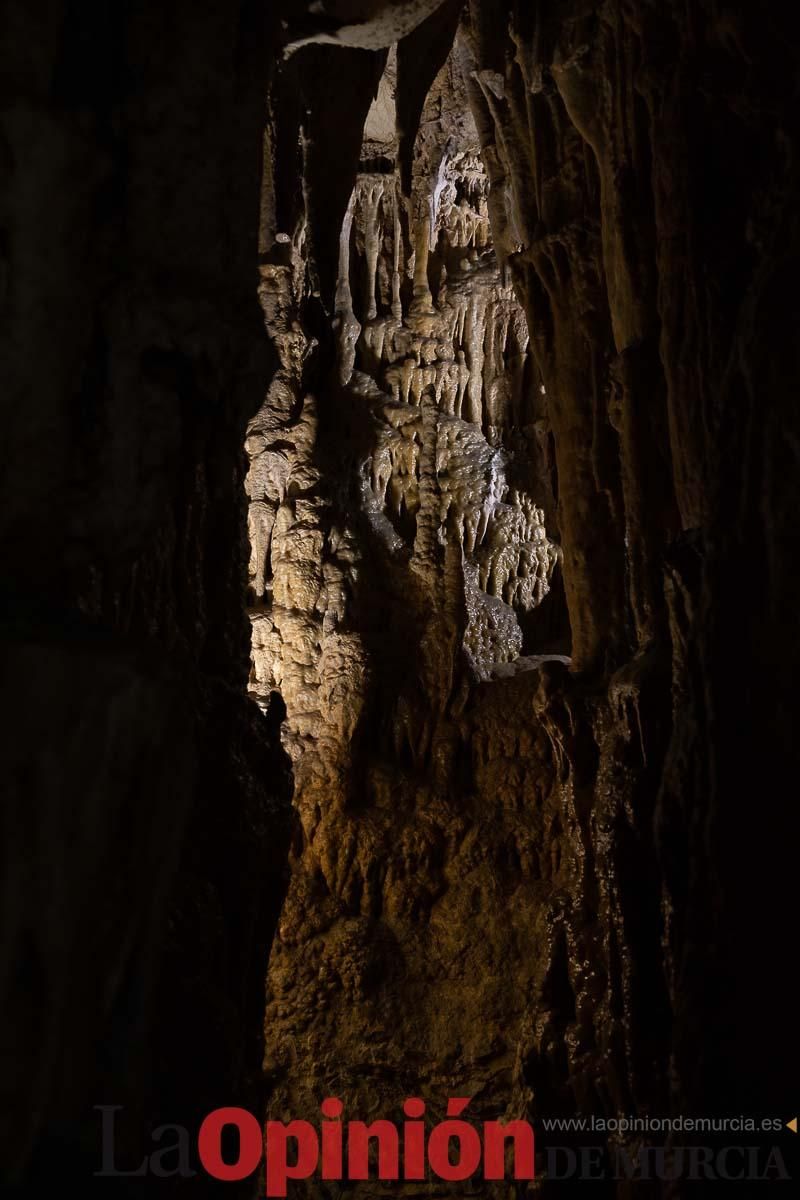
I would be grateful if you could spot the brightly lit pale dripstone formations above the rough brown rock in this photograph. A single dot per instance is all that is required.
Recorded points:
(437, 425)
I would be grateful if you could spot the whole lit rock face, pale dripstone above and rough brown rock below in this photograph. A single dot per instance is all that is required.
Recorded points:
(400, 536)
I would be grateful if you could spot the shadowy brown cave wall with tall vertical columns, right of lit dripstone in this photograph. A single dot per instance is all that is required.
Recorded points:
(648, 157)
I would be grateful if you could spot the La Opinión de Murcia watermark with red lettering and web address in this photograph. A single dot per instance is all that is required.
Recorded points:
(232, 1145)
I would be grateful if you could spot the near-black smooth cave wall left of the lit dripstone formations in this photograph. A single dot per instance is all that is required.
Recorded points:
(146, 817)
